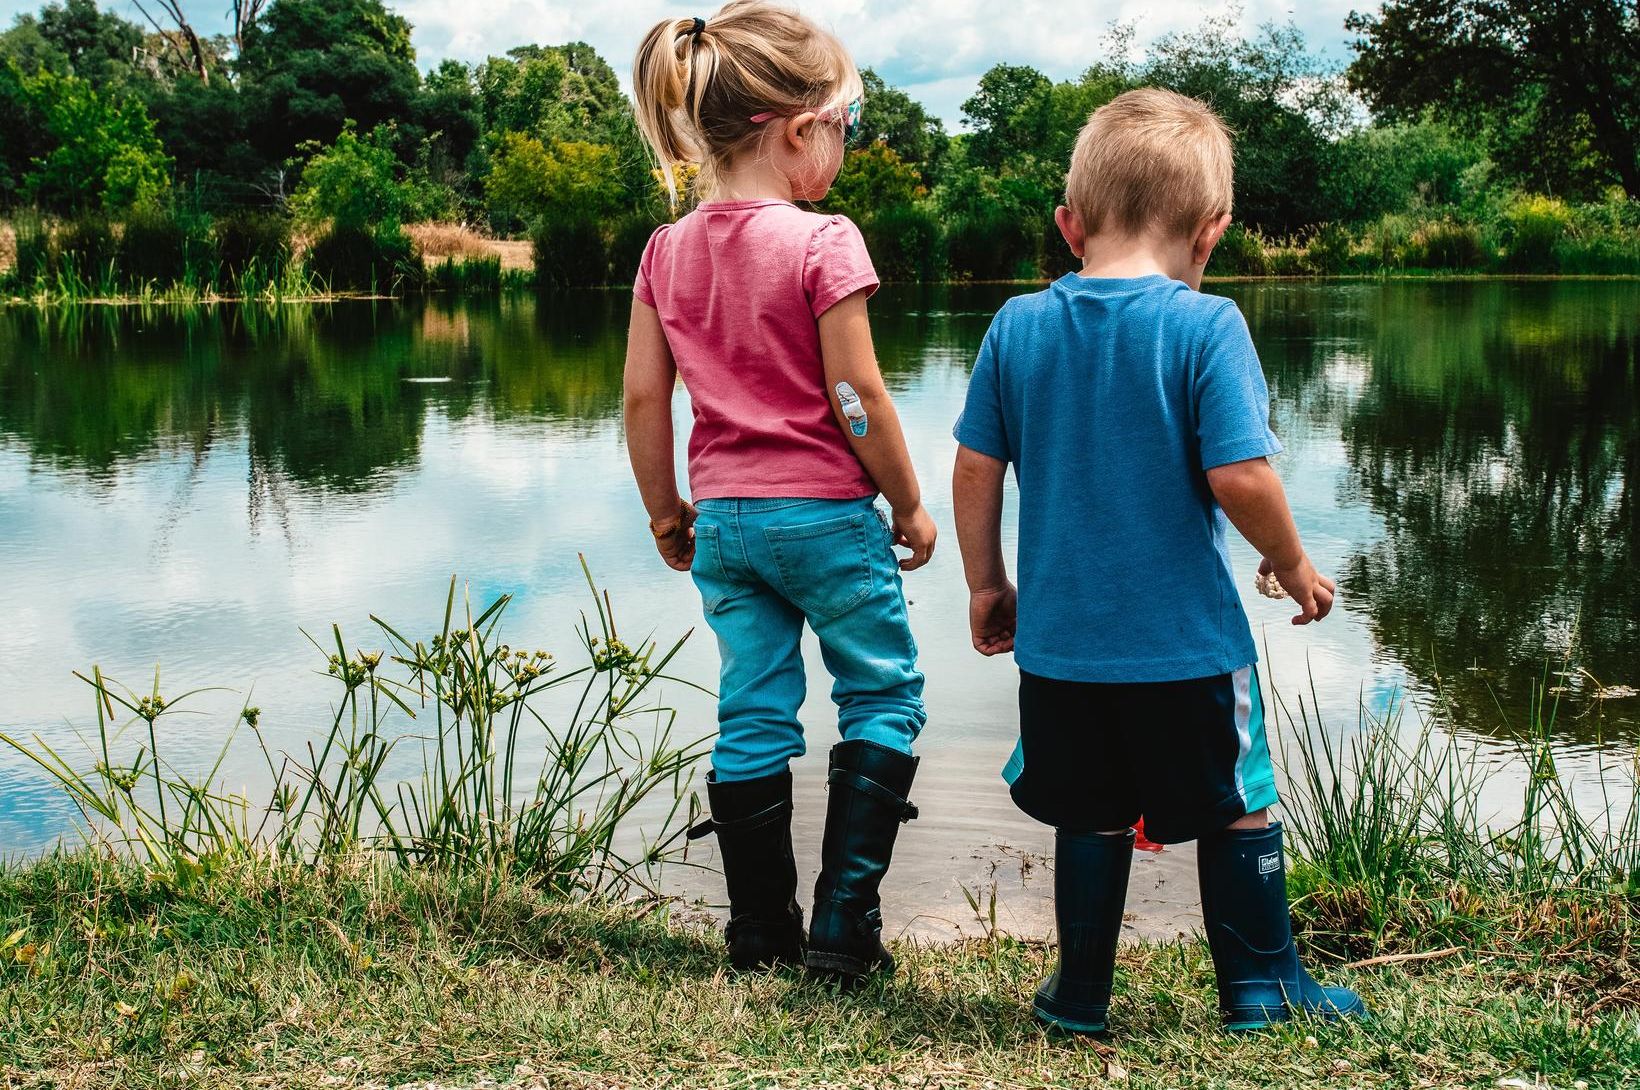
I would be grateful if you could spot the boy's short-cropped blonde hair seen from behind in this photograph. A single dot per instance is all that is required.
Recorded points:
(1150, 158)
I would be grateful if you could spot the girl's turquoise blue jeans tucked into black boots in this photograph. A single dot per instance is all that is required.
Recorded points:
(767, 566)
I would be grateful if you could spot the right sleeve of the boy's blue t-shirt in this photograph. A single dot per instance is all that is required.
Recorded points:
(1232, 402)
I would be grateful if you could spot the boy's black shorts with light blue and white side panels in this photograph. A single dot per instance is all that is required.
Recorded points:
(1188, 756)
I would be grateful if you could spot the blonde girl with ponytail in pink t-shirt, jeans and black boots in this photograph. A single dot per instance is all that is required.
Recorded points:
(762, 309)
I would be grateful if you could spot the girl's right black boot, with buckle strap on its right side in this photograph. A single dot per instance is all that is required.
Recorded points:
(868, 804)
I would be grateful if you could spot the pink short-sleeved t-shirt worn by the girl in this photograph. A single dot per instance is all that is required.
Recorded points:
(740, 288)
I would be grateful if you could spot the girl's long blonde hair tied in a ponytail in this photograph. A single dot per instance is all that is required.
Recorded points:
(698, 89)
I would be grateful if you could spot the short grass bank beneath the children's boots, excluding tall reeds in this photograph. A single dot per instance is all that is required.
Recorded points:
(368, 974)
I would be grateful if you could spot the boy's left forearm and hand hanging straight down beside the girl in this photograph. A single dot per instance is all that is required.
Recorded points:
(993, 604)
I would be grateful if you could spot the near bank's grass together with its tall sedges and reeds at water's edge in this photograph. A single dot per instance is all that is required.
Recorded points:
(493, 919)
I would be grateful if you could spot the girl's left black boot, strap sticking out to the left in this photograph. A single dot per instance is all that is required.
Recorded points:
(754, 824)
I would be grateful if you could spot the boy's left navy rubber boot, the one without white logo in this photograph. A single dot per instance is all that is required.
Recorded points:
(1090, 891)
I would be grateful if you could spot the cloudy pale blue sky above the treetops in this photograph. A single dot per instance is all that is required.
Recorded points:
(936, 50)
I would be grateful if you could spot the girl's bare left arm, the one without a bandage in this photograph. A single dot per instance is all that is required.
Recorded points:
(652, 375)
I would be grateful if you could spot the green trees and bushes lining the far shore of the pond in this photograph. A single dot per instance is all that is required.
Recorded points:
(286, 161)
